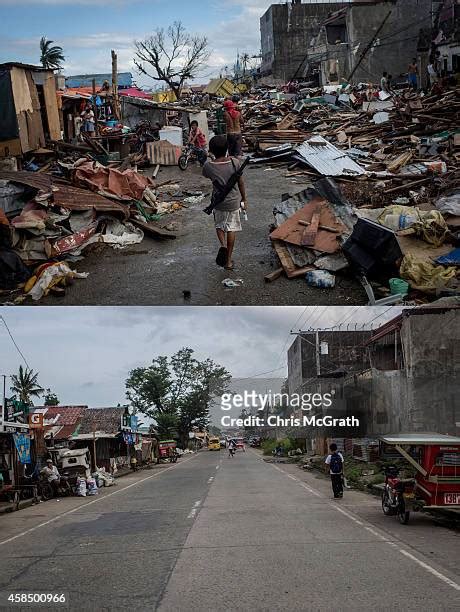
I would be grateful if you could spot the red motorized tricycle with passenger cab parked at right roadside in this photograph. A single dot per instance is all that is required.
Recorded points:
(436, 485)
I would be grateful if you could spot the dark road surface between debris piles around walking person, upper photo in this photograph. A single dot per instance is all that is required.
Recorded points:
(157, 272)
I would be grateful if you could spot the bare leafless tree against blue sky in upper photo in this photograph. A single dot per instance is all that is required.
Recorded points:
(172, 56)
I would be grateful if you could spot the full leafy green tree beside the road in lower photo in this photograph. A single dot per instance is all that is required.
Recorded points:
(176, 391)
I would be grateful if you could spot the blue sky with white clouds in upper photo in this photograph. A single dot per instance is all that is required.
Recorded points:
(88, 29)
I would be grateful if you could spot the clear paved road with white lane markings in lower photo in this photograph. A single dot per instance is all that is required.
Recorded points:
(217, 533)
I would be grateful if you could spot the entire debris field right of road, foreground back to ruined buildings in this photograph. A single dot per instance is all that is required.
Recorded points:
(395, 219)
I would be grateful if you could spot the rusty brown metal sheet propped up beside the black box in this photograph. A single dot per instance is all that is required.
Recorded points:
(291, 231)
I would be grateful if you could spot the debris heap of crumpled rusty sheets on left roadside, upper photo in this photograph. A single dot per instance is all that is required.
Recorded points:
(51, 219)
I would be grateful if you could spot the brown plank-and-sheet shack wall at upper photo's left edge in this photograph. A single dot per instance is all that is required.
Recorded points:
(29, 109)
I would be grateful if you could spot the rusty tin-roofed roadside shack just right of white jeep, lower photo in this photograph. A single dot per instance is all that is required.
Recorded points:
(110, 434)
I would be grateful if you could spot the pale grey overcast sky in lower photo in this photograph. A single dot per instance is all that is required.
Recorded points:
(84, 354)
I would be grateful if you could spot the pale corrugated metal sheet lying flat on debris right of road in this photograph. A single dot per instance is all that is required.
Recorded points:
(324, 157)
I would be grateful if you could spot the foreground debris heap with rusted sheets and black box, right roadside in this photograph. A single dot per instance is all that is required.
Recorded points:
(403, 253)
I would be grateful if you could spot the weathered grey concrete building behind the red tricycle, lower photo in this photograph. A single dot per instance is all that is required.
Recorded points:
(415, 373)
